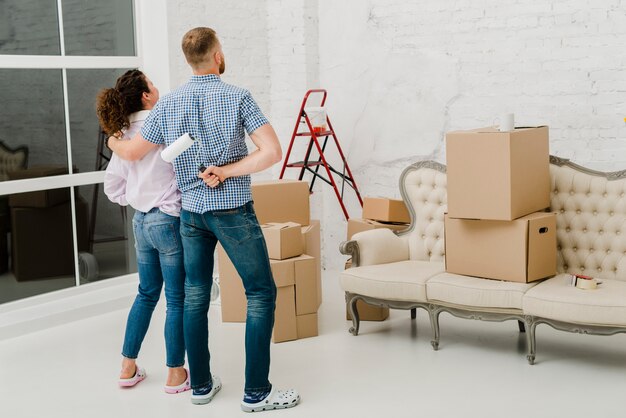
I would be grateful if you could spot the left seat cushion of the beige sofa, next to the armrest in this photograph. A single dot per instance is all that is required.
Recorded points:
(403, 280)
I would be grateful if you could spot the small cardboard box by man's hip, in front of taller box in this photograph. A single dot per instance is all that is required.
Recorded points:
(283, 240)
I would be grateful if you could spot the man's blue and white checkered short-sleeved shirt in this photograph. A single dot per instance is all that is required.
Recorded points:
(216, 114)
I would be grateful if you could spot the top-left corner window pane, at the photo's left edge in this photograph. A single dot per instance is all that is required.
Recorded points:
(29, 27)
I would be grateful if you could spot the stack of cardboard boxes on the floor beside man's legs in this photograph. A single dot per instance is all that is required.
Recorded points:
(293, 244)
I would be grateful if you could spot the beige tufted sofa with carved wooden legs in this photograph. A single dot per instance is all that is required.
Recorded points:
(405, 270)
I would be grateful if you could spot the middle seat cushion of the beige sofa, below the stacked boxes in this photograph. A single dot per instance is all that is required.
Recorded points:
(473, 291)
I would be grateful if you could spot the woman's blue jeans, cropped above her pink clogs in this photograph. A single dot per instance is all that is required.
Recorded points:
(159, 261)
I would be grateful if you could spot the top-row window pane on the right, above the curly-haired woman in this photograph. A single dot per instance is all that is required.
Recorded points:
(95, 27)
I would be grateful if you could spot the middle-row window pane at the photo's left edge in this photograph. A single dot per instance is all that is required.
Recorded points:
(32, 115)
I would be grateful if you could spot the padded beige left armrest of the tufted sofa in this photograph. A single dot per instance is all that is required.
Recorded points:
(377, 246)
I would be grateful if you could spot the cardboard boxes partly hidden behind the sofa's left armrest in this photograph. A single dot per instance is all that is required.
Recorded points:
(377, 213)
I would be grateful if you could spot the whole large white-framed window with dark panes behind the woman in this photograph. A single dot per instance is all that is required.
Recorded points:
(57, 229)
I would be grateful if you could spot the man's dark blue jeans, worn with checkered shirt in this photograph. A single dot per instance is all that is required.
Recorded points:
(240, 234)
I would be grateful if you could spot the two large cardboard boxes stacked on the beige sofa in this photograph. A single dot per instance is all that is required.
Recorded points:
(498, 190)
